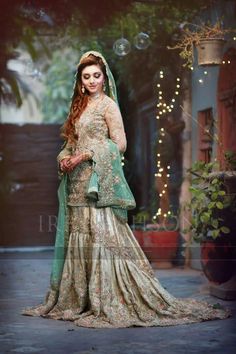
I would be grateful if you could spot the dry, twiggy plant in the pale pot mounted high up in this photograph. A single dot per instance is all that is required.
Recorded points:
(209, 40)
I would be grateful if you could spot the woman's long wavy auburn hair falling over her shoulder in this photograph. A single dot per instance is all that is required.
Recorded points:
(79, 100)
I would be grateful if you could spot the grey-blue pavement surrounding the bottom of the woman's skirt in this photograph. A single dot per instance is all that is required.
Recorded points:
(24, 279)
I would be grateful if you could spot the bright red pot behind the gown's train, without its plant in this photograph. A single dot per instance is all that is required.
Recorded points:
(160, 247)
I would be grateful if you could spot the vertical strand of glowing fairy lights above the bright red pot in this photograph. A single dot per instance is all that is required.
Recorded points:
(163, 109)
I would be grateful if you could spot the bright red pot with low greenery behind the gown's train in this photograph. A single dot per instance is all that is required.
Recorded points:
(158, 241)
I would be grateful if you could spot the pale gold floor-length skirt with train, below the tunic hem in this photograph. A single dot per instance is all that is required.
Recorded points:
(107, 281)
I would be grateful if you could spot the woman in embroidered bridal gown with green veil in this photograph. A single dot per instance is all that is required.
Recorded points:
(100, 276)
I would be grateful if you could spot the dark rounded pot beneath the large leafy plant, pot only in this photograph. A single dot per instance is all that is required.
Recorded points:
(217, 260)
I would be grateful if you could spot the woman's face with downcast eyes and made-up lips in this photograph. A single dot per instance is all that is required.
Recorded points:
(92, 78)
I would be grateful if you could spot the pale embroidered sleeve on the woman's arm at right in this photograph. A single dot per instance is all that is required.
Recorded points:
(115, 126)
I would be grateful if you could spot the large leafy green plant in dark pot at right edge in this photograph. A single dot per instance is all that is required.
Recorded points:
(213, 206)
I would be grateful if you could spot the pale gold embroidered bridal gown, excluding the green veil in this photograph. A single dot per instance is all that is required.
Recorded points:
(107, 281)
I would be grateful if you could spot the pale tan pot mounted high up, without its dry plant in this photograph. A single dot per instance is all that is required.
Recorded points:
(210, 51)
